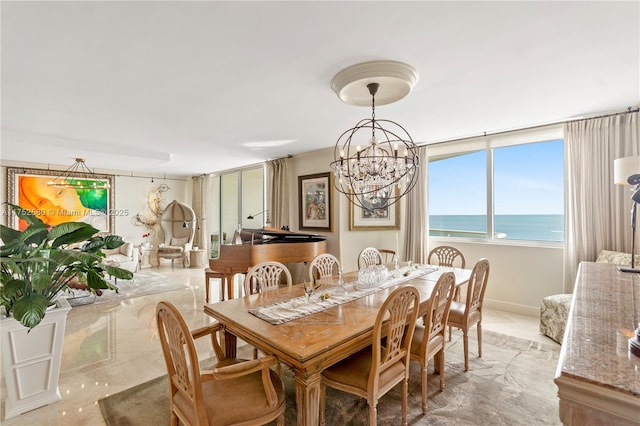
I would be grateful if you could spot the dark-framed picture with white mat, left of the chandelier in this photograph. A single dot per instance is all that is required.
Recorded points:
(316, 200)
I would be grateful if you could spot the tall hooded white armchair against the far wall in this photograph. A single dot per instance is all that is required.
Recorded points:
(177, 222)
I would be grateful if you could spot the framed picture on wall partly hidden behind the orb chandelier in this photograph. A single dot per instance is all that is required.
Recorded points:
(377, 216)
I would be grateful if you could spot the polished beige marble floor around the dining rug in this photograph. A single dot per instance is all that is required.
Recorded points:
(113, 346)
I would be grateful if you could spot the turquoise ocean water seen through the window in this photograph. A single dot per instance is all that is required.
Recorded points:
(542, 227)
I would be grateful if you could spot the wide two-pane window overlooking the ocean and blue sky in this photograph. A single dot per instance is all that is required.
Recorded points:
(506, 191)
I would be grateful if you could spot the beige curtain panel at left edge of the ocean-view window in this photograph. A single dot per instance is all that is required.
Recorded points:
(416, 237)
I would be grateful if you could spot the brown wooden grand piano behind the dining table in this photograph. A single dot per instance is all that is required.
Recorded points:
(262, 245)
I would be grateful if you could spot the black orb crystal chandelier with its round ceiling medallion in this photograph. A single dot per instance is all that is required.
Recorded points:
(386, 168)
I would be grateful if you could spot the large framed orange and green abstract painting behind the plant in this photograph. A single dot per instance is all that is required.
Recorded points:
(28, 189)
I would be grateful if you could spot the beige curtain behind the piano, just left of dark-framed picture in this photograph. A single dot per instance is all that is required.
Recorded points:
(278, 192)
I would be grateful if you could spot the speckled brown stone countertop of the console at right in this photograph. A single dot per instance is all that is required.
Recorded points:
(604, 311)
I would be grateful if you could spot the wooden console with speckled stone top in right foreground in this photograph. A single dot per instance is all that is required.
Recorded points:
(598, 378)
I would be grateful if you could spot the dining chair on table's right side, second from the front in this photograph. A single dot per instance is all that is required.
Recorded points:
(429, 338)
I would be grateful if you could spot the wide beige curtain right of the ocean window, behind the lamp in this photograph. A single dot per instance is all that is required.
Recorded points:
(597, 212)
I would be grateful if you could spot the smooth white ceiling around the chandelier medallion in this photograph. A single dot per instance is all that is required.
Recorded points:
(180, 87)
